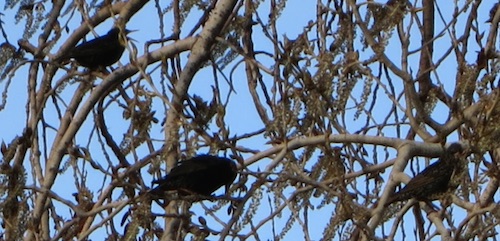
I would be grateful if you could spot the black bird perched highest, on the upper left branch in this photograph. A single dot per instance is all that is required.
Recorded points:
(102, 51)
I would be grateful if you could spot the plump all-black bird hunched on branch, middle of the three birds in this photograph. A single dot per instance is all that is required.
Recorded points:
(200, 175)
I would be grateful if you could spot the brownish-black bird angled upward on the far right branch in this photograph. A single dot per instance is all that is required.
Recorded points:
(436, 180)
